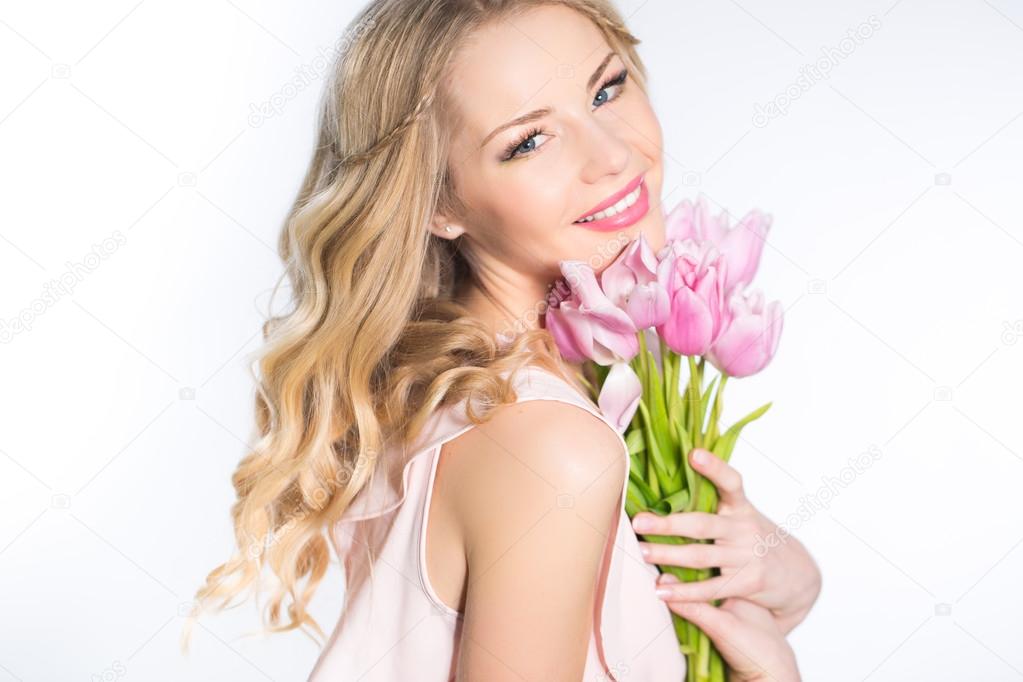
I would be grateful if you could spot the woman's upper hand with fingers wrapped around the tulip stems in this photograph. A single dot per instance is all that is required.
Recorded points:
(760, 562)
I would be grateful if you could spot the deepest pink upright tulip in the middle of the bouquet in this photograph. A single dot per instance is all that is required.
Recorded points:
(693, 275)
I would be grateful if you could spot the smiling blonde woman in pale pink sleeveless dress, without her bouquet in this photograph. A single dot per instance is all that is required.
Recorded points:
(417, 419)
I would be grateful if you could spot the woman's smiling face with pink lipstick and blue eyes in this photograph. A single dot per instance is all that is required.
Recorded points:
(525, 184)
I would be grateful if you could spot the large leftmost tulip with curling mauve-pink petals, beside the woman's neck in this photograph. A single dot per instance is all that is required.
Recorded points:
(587, 326)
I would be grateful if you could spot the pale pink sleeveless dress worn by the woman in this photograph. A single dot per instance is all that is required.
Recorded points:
(394, 627)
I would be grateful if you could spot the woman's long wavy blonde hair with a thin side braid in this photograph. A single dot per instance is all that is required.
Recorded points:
(376, 339)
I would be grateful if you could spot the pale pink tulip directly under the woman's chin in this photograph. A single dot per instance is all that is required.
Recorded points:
(631, 284)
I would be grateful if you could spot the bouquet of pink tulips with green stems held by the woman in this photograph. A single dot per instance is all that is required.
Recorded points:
(636, 324)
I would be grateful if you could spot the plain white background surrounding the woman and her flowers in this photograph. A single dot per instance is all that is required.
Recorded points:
(896, 250)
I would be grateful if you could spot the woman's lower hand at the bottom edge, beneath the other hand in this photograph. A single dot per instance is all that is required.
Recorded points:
(746, 635)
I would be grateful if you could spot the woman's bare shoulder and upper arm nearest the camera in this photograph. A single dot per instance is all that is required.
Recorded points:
(538, 488)
